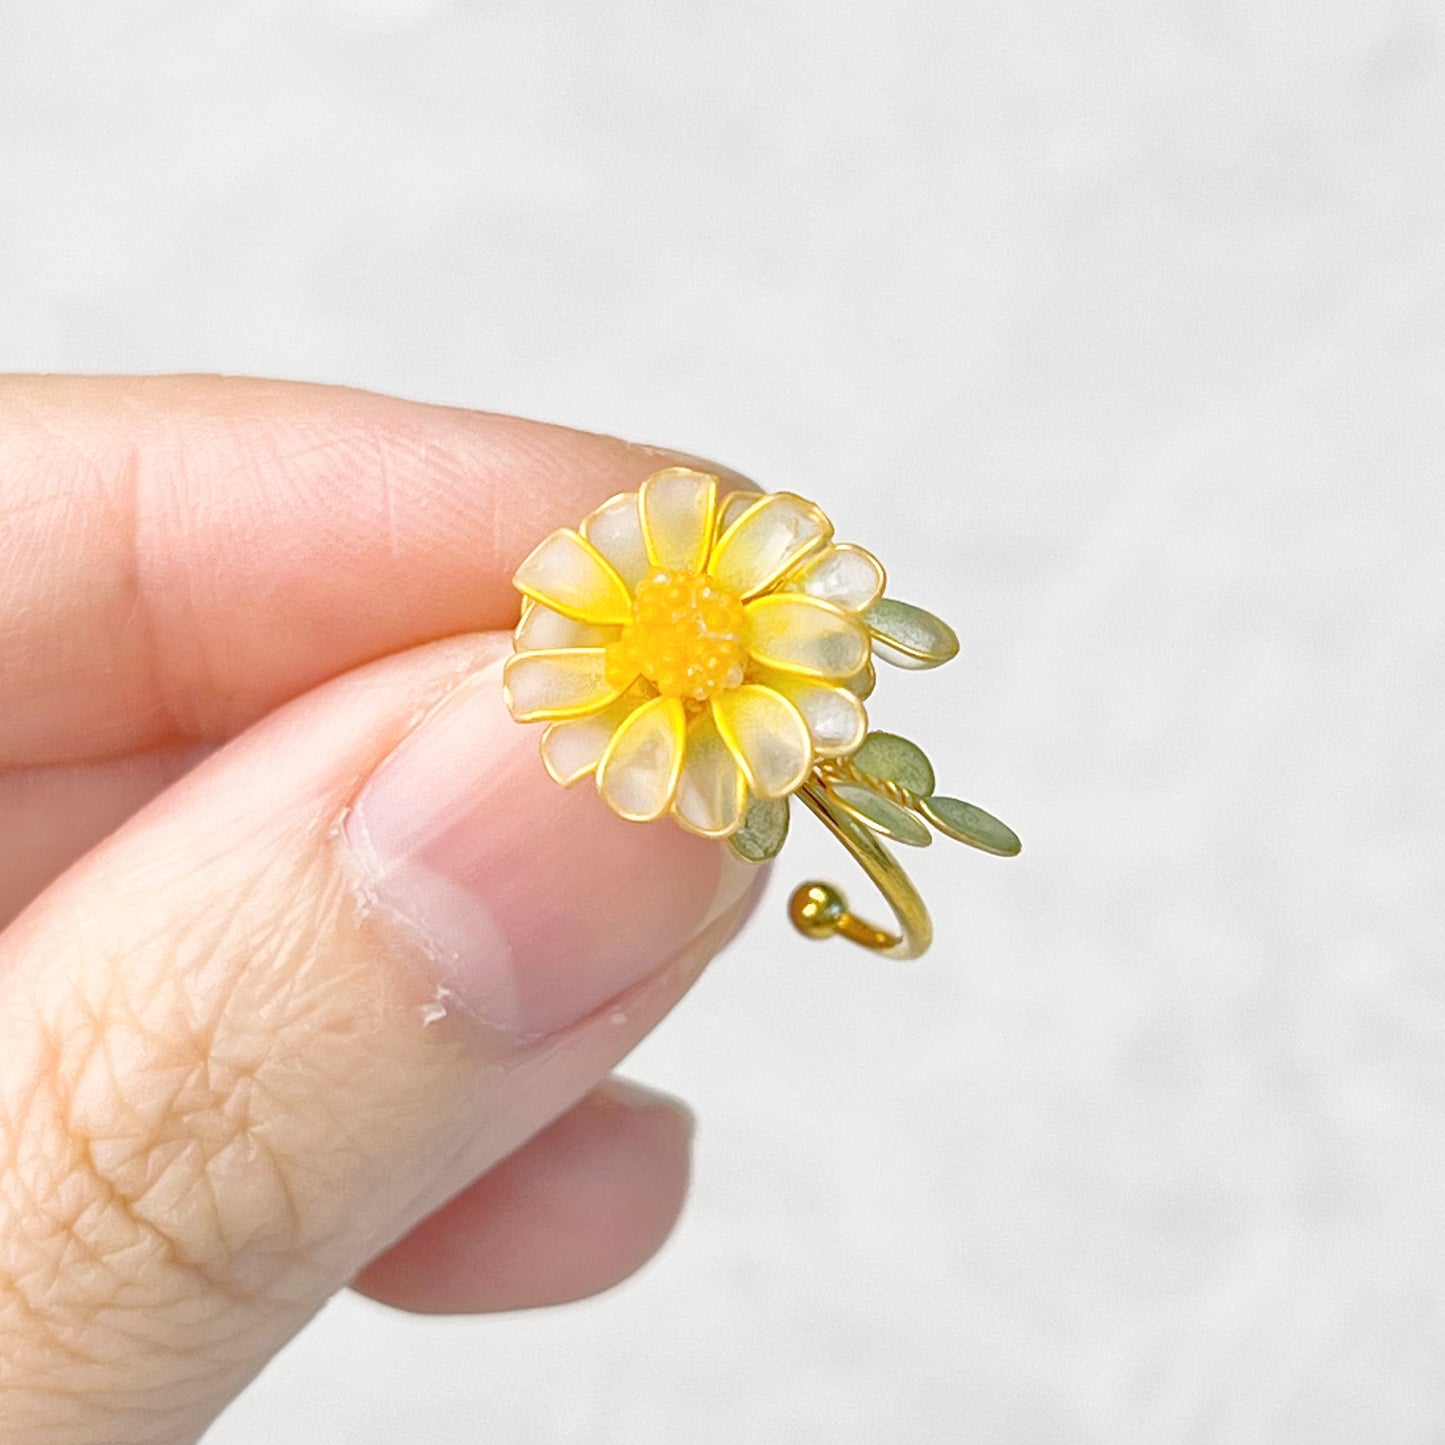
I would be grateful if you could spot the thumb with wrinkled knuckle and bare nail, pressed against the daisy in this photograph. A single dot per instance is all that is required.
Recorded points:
(291, 1009)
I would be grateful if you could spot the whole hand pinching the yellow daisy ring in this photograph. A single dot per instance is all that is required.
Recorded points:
(355, 949)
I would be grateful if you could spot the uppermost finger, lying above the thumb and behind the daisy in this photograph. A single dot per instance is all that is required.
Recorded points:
(183, 554)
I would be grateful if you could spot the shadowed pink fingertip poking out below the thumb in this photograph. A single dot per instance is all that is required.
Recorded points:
(577, 1210)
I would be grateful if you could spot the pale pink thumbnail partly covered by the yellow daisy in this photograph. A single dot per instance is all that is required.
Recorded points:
(534, 904)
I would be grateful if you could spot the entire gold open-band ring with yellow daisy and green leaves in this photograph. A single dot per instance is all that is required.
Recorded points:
(707, 655)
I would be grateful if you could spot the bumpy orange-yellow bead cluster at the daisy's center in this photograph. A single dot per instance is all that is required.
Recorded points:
(689, 637)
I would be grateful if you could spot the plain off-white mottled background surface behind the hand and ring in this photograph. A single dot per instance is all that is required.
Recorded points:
(1118, 332)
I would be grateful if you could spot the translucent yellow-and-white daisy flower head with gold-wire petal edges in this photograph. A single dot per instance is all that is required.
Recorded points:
(697, 652)
